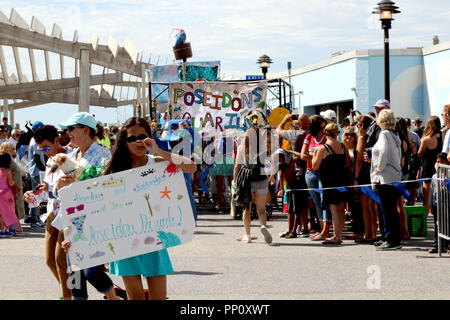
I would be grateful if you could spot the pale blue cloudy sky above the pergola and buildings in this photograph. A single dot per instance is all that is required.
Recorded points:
(234, 32)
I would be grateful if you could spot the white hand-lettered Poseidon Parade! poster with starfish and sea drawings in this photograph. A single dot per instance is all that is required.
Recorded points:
(126, 214)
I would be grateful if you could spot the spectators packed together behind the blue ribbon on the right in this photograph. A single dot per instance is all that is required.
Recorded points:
(321, 162)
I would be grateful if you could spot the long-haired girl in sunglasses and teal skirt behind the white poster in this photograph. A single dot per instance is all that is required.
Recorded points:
(133, 142)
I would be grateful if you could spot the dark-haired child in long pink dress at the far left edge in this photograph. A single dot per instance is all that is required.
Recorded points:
(7, 185)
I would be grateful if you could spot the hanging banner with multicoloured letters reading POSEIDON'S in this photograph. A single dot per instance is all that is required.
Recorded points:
(216, 105)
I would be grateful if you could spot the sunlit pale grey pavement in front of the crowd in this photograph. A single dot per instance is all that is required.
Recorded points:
(216, 266)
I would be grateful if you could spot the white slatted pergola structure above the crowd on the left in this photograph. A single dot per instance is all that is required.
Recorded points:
(84, 88)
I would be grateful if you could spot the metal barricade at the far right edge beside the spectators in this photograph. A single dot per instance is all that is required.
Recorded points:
(443, 205)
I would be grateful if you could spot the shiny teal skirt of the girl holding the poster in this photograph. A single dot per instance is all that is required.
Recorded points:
(152, 264)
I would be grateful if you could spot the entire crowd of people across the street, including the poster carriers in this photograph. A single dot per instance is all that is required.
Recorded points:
(311, 162)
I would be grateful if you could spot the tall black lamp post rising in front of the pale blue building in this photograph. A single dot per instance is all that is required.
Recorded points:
(386, 9)
